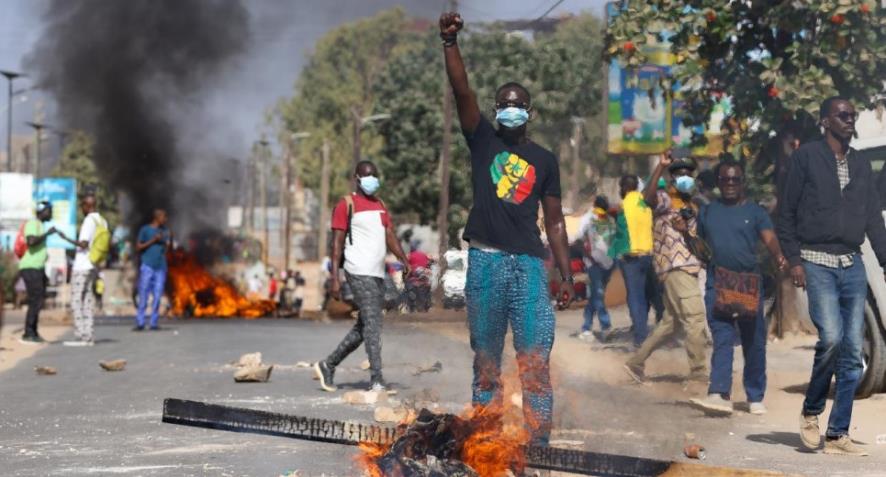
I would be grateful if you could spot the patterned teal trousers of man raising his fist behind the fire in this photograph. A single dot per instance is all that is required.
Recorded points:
(504, 289)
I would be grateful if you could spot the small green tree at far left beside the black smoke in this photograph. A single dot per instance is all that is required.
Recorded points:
(76, 162)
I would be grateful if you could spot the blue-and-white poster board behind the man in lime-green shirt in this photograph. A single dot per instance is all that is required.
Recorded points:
(62, 193)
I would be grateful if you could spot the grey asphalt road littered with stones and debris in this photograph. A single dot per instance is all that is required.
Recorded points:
(85, 421)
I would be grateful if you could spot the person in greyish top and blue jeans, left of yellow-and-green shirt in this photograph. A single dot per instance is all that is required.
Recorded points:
(597, 234)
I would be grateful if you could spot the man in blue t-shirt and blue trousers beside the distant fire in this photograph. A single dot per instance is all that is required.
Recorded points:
(154, 239)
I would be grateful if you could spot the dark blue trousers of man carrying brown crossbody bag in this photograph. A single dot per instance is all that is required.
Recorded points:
(753, 347)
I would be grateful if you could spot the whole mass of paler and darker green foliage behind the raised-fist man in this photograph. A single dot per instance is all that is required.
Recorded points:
(381, 65)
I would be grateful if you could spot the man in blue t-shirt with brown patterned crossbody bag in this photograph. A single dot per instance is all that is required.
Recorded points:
(734, 227)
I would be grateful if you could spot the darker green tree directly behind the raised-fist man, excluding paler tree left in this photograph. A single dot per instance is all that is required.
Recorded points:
(562, 70)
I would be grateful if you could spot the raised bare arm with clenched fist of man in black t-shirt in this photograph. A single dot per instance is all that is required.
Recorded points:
(465, 98)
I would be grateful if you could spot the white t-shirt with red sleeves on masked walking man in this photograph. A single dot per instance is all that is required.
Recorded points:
(369, 221)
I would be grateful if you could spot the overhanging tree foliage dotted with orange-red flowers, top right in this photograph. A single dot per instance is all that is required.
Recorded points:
(777, 59)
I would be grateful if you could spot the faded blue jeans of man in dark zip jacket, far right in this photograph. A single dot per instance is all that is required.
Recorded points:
(836, 306)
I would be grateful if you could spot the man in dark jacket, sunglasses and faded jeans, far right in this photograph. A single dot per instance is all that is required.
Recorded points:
(828, 203)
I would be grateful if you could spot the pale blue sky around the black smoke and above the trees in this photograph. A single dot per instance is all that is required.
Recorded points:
(285, 31)
